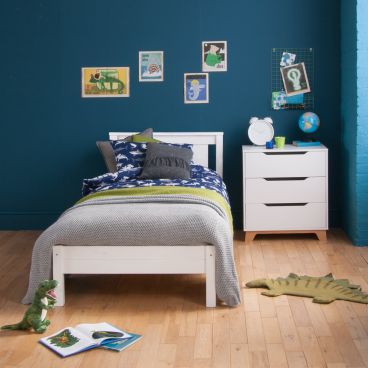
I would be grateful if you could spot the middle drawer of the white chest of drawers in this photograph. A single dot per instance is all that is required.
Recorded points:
(281, 190)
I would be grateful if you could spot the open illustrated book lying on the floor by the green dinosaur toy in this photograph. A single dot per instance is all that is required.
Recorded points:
(73, 340)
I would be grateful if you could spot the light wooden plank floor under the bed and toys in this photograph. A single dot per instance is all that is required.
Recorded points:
(178, 331)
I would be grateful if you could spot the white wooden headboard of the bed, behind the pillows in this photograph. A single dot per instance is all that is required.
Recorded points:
(200, 141)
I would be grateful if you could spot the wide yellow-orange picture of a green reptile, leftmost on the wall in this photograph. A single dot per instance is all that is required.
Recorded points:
(105, 82)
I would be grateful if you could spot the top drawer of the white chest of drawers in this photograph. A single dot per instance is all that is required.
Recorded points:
(284, 164)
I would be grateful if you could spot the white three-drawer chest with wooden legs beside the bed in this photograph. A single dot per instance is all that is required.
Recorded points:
(285, 190)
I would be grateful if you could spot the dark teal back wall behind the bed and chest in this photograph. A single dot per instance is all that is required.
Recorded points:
(49, 132)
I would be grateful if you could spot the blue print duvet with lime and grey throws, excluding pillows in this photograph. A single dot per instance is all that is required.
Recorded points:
(120, 212)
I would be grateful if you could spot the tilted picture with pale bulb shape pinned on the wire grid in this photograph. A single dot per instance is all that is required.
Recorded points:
(295, 79)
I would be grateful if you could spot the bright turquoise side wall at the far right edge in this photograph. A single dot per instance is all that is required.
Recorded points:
(354, 114)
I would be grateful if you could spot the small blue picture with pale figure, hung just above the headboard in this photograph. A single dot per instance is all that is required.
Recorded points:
(196, 88)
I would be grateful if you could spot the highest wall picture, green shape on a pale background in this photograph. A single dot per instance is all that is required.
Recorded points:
(214, 56)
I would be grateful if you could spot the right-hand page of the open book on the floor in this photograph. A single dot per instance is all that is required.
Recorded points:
(99, 332)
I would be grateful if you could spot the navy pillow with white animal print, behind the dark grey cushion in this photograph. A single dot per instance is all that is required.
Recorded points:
(130, 156)
